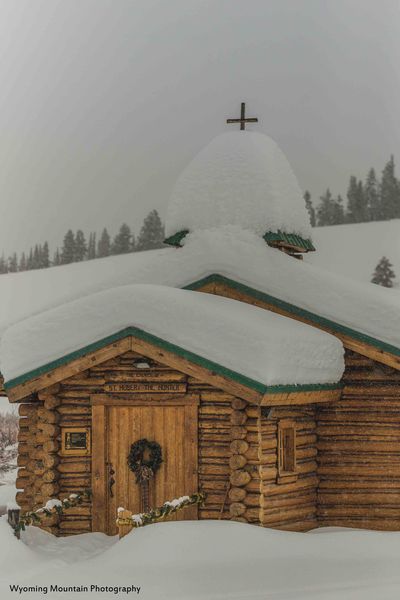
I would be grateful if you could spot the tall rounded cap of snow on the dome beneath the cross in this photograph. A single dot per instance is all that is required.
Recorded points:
(240, 178)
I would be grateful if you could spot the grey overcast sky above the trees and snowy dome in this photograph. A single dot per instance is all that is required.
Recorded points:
(103, 102)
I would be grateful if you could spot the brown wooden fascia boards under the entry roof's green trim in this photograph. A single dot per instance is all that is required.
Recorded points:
(163, 352)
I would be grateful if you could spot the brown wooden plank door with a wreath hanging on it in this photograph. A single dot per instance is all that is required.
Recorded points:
(116, 426)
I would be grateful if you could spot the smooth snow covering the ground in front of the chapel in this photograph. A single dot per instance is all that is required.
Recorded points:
(213, 560)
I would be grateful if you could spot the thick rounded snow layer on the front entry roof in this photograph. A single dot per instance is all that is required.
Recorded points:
(251, 341)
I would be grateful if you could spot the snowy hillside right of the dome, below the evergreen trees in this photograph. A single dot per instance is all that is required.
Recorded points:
(354, 250)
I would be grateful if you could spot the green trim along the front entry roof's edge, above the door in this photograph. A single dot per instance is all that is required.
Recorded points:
(216, 368)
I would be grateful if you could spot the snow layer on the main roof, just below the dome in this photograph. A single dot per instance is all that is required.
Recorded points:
(236, 254)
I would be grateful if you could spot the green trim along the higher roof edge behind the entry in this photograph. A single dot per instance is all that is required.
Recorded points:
(296, 310)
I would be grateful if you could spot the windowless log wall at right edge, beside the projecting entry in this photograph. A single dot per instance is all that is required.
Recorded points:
(359, 449)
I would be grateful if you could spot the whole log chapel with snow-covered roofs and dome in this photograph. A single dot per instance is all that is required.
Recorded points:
(266, 382)
